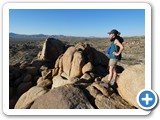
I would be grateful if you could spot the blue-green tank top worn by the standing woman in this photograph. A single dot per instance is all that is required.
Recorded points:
(114, 48)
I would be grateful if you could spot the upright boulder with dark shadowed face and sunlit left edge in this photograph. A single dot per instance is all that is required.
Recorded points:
(52, 48)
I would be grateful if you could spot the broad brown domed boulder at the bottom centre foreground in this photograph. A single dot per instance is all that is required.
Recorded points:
(64, 97)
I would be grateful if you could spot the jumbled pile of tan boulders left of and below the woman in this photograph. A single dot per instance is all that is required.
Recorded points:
(64, 77)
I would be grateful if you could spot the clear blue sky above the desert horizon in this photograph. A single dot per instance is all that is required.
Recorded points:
(77, 22)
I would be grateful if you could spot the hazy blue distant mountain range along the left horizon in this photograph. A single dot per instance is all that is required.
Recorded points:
(40, 36)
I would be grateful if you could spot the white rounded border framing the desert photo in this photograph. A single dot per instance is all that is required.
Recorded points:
(9, 6)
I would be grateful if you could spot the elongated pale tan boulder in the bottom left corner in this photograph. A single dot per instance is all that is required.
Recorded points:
(26, 100)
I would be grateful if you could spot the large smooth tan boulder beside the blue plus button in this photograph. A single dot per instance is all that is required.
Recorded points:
(130, 82)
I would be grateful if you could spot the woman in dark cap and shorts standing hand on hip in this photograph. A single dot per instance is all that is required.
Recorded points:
(114, 52)
